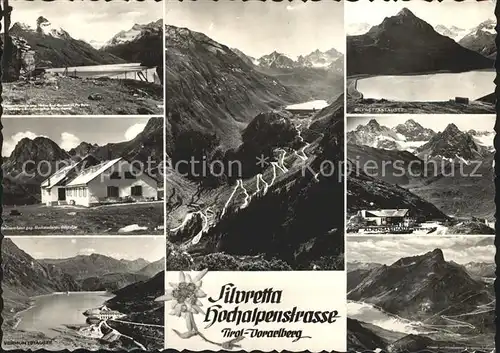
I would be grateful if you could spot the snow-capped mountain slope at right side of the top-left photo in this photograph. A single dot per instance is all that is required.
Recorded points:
(143, 43)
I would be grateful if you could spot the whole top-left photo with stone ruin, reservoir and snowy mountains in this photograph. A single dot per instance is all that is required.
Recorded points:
(83, 58)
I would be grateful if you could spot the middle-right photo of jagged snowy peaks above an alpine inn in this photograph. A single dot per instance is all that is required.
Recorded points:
(418, 174)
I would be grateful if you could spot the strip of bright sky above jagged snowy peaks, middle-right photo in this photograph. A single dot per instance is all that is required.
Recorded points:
(437, 123)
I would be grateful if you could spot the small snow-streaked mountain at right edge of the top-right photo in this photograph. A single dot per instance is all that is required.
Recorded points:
(481, 39)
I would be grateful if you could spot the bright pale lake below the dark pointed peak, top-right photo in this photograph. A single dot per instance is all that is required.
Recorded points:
(428, 88)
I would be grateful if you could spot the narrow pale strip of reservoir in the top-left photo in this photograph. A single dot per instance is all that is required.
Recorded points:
(133, 71)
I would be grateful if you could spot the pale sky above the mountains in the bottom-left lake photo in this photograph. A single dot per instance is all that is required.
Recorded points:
(129, 248)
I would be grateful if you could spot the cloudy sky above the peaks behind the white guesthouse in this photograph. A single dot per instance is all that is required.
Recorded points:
(68, 132)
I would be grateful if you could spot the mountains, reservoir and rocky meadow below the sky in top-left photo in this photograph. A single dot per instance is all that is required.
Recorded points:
(52, 73)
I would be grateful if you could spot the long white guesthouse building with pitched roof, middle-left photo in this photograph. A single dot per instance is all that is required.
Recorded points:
(90, 182)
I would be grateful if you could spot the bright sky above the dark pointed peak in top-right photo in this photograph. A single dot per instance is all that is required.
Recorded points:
(467, 14)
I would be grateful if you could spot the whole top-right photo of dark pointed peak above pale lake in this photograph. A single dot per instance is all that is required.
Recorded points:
(421, 57)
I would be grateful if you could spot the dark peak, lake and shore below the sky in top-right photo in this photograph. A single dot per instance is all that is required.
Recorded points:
(426, 80)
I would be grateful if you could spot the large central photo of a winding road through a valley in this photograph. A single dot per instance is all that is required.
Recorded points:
(255, 135)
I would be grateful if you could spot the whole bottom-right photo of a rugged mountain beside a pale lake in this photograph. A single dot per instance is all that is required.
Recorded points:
(410, 294)
